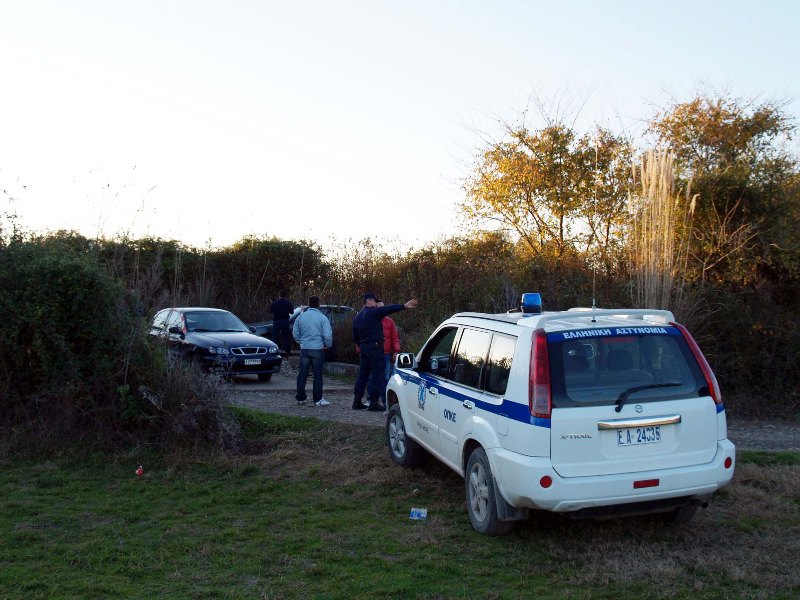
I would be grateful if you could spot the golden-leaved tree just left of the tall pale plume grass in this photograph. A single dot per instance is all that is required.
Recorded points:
(560, 192)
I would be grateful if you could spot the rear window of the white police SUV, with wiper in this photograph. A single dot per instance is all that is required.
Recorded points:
(594, 366)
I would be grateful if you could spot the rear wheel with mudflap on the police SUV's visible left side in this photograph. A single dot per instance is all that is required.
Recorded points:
(480, 492)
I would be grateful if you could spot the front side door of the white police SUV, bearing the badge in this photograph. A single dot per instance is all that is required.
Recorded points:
(422, 399)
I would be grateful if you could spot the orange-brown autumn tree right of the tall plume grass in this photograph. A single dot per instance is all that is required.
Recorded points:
(735, 156)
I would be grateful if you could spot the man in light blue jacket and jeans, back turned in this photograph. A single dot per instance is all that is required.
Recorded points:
(312, 331)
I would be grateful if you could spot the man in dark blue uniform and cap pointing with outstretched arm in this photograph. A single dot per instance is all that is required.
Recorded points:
(368, 337)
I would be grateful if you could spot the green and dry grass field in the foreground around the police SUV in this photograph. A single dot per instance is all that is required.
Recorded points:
(320, 512)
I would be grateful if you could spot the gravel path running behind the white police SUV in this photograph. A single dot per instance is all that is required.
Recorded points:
(277, 396)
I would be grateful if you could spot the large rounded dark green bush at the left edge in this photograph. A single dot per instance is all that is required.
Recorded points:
(73, 346)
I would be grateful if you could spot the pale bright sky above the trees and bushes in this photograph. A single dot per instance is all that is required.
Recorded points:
(205, 121)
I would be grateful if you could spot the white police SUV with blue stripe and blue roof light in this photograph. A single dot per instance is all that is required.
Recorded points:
(594, 412)
